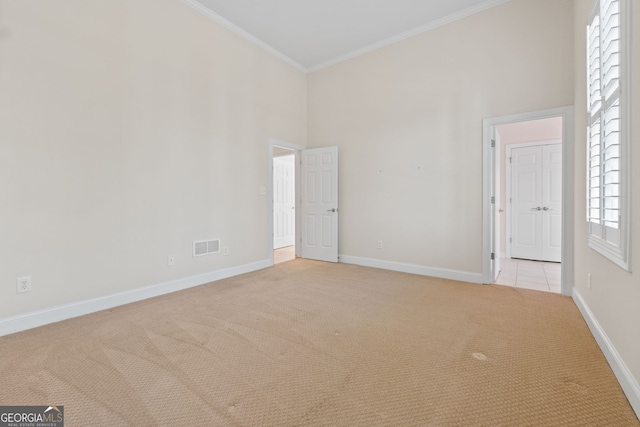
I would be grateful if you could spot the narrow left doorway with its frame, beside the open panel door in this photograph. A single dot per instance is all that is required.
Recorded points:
(284, 205)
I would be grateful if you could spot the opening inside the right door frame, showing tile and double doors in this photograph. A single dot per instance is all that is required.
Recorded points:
(529, 175)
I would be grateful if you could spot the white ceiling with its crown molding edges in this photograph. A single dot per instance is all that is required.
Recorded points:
(313, 34)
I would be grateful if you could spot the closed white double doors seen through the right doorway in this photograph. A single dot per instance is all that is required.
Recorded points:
(536, 202)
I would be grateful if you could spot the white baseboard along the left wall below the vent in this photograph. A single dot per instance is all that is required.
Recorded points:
(10, 325)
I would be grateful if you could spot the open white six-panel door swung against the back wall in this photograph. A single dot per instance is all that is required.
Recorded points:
(319, 205)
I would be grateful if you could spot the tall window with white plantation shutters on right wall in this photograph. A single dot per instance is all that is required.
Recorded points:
(608, 167)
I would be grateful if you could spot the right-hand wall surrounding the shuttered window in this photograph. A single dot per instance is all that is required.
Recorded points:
(614, 297)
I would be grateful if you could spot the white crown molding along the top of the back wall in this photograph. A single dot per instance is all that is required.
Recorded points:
(411, 33)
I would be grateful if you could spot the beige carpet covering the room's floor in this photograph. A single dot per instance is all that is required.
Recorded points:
(308, 343)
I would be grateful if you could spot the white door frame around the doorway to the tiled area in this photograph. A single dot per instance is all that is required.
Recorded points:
(488, 173)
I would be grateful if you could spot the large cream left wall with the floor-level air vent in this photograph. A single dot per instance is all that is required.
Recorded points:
(128, 129)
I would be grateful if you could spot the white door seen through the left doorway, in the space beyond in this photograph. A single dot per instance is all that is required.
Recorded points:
(284, 219)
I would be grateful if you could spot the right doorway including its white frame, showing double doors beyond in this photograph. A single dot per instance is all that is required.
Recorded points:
(529, 234)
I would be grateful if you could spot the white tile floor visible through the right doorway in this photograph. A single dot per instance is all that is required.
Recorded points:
(539, 276)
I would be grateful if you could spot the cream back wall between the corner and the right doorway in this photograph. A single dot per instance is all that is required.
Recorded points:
(408, 123)
